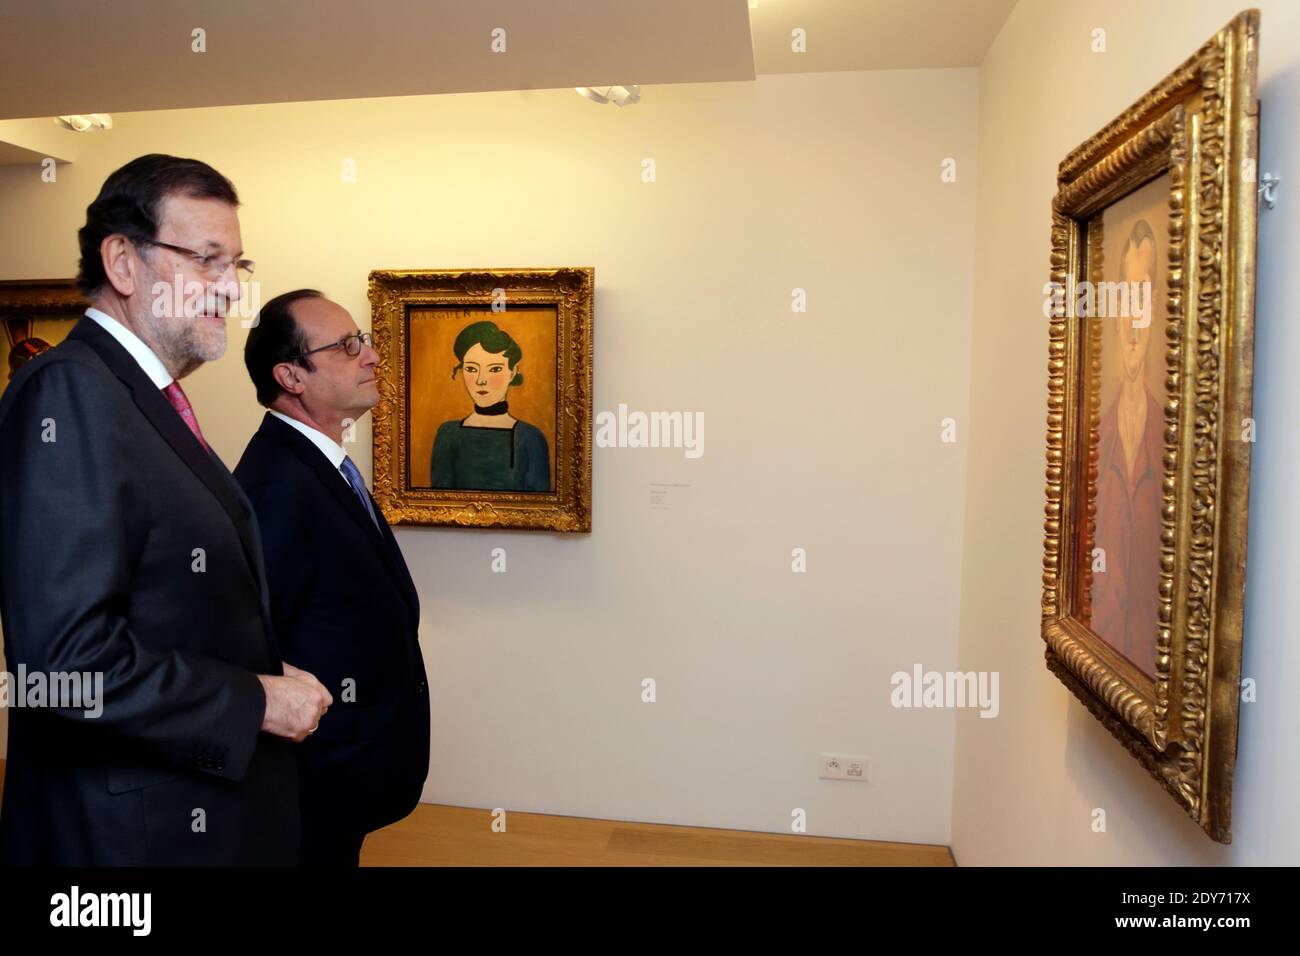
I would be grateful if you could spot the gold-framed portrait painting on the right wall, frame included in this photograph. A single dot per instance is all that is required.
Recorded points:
(1150, 432)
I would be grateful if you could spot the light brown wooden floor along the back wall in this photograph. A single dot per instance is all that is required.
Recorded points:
(439, 836)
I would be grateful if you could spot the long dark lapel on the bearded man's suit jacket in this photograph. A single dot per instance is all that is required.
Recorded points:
(161, 414)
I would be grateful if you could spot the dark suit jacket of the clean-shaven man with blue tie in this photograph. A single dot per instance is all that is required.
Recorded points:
(345, 609)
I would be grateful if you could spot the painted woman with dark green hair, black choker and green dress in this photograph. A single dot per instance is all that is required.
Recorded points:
(489, 449)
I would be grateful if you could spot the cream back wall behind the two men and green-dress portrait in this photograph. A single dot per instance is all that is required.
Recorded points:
(824, 429)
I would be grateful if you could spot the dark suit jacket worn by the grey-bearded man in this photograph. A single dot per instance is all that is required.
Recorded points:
(106, 499)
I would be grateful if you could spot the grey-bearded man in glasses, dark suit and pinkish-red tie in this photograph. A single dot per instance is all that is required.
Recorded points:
(131, 560)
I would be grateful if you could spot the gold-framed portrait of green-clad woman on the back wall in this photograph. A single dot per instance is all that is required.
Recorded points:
(486, 397)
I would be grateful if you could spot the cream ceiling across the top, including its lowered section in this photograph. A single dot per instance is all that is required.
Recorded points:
(81, 57)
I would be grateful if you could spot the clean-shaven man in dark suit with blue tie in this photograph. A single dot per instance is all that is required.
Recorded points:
(343, 602)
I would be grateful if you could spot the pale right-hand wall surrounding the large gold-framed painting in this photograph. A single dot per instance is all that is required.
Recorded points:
(1028, 785)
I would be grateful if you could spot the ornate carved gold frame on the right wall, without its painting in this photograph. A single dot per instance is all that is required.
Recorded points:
(1201, 128)
